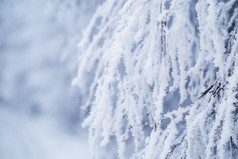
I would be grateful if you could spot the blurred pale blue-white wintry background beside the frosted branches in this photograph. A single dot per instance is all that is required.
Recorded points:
(40, 112)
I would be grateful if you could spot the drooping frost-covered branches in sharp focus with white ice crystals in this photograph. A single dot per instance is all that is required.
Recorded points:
(160, 79)
